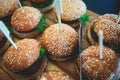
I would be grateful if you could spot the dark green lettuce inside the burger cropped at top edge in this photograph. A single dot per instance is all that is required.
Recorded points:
(43, 4)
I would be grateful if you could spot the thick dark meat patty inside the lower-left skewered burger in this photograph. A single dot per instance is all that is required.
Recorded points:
(32, 69)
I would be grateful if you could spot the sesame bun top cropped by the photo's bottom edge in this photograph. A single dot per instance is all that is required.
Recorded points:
(54, 75)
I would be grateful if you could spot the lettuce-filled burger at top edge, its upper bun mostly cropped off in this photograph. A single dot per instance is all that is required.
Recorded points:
(43, 5)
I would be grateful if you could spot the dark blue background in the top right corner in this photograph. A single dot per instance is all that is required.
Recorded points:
(103, 6)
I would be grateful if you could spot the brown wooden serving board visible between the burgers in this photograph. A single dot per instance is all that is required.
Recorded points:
(67, 66)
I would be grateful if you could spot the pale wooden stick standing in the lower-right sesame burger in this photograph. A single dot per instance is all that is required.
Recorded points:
(100, 34)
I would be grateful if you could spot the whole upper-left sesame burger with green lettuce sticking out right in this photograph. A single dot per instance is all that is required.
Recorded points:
(27, 22)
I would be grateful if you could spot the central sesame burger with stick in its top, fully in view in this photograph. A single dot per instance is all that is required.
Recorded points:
(60, 43)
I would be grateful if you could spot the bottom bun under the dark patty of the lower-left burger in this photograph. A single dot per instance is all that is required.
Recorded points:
(34, 76)
